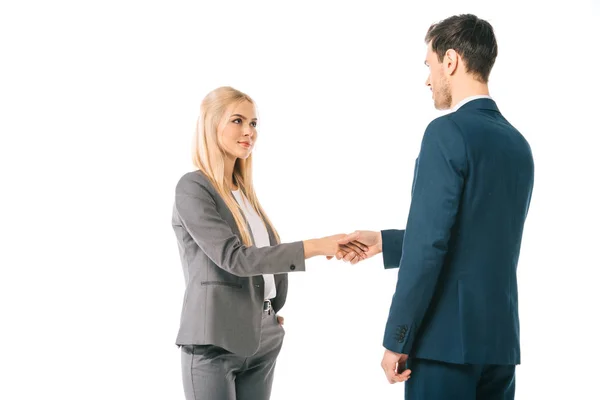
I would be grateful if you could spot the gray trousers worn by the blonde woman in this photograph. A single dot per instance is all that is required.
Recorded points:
(212, 373)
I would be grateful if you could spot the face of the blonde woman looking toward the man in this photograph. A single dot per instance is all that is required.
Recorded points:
(238, 136)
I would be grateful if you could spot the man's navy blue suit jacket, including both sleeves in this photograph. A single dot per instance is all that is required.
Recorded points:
(456, 297)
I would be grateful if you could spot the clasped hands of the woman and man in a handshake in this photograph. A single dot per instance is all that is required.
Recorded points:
(353, 247)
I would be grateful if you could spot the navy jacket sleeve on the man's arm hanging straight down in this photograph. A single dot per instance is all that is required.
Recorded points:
(437, 190)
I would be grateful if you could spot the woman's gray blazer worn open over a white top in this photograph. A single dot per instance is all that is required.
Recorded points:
(224, 295)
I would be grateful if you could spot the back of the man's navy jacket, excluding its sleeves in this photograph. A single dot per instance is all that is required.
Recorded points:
(473, 315)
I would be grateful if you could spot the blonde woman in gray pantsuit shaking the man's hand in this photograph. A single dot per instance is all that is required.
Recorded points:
(234, 265)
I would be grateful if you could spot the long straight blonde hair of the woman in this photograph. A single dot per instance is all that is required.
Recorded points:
(209, 157)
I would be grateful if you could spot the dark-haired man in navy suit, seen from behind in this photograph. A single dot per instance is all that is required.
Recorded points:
(453, 325)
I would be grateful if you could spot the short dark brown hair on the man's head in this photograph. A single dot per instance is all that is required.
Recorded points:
(471, 37)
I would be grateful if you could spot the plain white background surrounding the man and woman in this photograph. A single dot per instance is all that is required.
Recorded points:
(98, 106)
